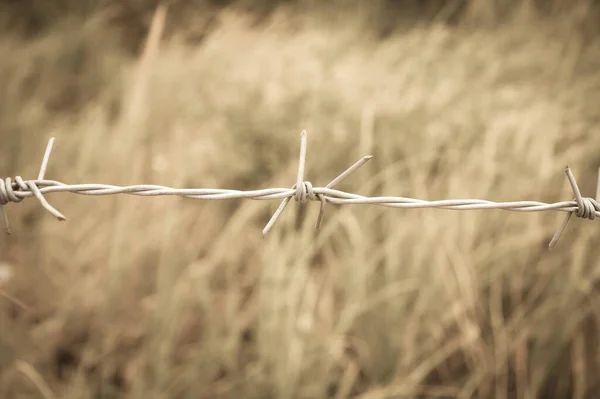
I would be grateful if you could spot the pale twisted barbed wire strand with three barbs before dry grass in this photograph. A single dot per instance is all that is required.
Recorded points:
(303, 191)
